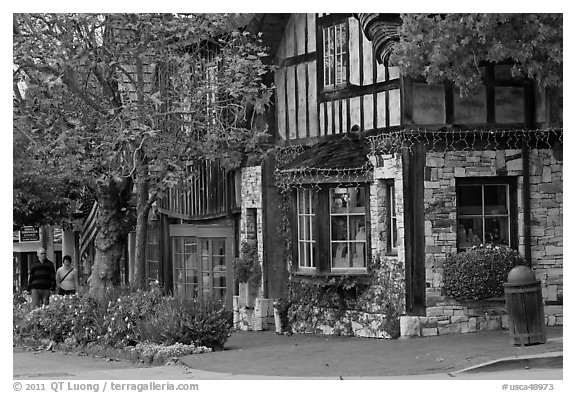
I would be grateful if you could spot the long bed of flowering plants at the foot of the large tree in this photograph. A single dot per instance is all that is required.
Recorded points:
(123, 320)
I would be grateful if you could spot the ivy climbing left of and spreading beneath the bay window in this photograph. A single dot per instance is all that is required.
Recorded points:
(341, 303)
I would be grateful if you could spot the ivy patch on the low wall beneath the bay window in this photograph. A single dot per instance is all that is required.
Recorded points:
(346, 304)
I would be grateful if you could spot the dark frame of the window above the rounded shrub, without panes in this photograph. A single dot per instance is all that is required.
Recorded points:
(512, 204)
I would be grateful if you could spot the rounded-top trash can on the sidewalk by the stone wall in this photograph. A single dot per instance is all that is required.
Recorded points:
(523, 294)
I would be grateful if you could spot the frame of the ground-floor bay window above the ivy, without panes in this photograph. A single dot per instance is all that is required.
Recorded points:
(323, 234)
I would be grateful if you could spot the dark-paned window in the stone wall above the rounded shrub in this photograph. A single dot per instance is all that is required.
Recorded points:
(484, 213)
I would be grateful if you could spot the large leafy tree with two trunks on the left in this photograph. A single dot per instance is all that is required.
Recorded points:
(127, 101)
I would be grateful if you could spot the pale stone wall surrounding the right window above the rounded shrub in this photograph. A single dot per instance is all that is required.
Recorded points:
(444, 168)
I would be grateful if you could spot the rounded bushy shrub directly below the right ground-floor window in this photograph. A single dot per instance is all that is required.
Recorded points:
(480, 272)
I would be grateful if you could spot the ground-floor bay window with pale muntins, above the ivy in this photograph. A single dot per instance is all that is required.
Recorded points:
(331, 227)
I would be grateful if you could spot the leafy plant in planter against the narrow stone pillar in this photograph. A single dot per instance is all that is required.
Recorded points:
(247, 272)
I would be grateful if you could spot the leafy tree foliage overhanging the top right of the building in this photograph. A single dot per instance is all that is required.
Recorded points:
(452, 47)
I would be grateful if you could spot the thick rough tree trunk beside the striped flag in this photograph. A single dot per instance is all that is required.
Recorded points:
(110, 238)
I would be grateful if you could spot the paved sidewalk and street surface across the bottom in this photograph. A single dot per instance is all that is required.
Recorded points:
(300, 357)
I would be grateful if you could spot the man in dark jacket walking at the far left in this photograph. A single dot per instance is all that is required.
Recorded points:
(42, 279)
